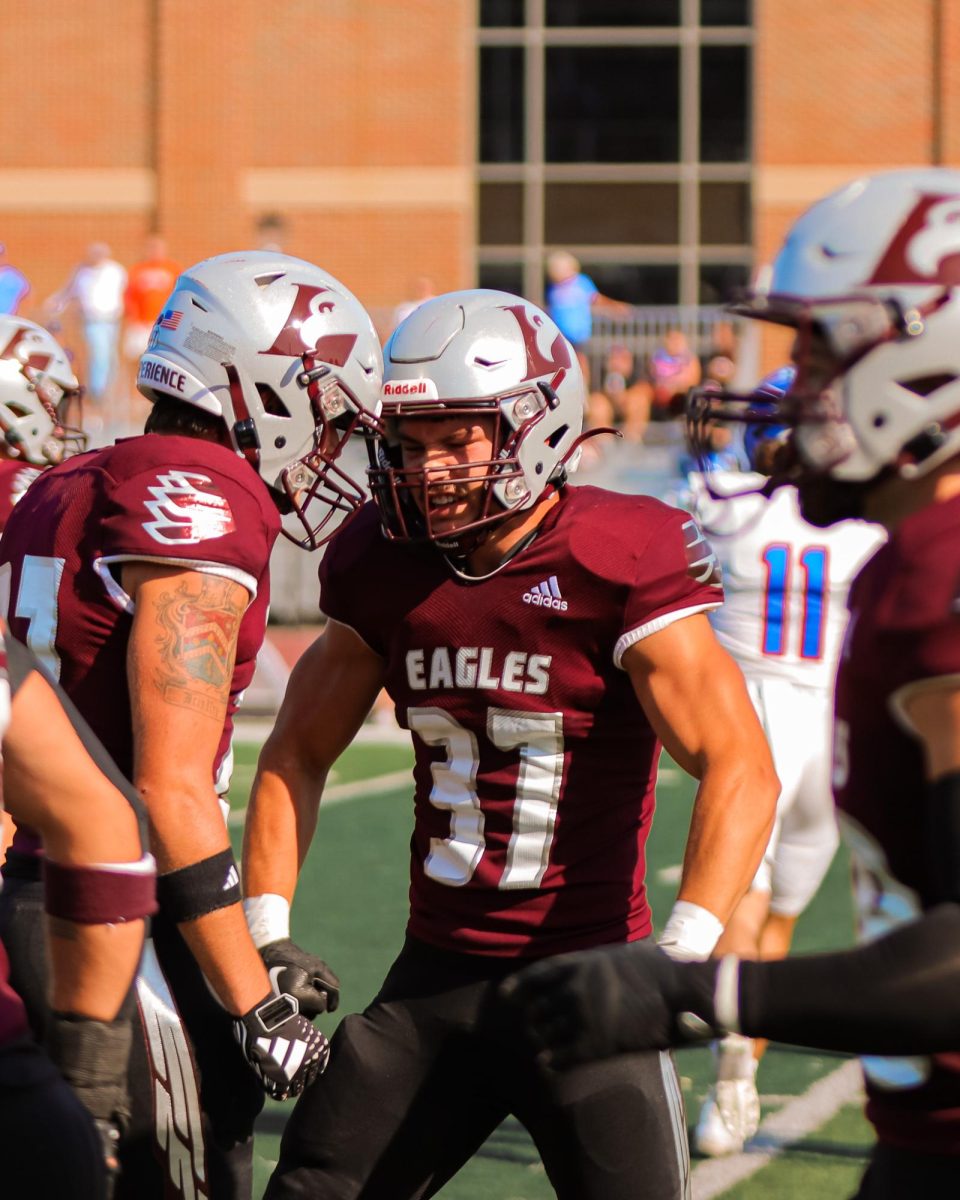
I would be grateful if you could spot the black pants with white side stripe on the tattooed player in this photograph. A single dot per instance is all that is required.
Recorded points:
(167, 1136)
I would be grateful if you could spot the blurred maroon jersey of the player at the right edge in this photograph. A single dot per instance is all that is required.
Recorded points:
(904, 629)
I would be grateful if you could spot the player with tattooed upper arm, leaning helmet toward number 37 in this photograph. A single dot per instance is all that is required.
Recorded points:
(140, 575)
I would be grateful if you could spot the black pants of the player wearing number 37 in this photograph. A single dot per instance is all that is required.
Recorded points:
(419, 1081)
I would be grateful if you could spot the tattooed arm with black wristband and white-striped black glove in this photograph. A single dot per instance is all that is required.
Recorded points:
(181, 661)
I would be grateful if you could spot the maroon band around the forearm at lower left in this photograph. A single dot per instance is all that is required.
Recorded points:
(101, 895)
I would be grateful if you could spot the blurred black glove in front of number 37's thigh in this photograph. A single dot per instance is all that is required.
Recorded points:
(613, 1000)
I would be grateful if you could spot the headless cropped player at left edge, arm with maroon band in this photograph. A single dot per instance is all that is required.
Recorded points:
(99, 887)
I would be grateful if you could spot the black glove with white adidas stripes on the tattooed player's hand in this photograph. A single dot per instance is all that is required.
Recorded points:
(285, 1051)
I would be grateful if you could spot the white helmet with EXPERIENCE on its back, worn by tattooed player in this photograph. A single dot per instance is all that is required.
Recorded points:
(287, 356)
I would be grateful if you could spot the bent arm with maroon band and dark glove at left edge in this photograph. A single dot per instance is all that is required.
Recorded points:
(99, 885)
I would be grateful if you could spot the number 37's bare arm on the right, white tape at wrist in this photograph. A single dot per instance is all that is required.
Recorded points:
(697, 700)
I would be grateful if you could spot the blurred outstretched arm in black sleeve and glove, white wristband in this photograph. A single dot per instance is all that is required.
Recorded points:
(893, 997)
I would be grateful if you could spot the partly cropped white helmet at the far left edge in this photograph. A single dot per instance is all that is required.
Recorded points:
(38, 386)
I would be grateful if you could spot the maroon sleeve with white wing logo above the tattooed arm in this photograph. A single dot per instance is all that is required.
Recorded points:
(190, 515)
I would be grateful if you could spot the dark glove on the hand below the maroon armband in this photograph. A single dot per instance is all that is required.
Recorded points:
(93, 1058)
